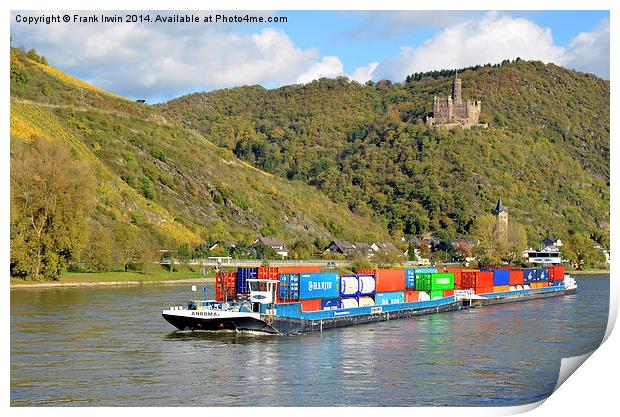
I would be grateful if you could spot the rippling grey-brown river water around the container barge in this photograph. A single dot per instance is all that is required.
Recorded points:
(110, 347)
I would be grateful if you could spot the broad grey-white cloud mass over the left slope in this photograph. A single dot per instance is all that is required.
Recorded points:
(152, 61)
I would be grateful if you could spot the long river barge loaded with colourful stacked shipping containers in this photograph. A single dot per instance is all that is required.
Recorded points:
(291, 300)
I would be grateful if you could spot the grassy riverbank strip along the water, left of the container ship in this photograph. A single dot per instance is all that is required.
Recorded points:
(77, 279)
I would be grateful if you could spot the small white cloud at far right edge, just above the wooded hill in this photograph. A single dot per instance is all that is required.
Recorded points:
(589, 51)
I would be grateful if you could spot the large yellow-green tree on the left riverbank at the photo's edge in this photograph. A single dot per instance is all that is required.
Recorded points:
(52, 195)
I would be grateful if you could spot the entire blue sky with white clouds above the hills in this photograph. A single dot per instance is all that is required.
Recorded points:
(161, 61)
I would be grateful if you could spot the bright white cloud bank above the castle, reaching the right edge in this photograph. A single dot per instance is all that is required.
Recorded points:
(494, 38)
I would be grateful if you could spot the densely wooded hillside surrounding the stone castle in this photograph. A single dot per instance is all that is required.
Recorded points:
(546, 151)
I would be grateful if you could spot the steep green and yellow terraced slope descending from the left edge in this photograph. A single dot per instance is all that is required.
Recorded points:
(157, 179)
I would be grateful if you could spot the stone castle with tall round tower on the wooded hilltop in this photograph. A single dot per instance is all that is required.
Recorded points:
(451, 112)
